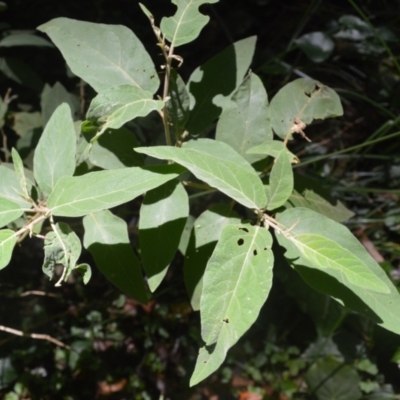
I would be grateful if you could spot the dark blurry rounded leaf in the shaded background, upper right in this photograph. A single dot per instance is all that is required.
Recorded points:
(317, 46)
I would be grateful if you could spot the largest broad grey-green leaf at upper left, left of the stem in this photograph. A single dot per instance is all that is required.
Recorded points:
(116, 55)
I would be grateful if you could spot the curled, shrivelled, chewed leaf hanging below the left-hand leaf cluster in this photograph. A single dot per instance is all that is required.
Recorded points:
(61, 246)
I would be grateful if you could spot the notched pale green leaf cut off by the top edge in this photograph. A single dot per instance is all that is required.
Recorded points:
(186, 24)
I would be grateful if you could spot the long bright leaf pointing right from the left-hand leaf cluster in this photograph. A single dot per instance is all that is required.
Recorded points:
(81, 195)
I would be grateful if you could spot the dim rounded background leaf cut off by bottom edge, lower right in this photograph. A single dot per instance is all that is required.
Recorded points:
(340, 382)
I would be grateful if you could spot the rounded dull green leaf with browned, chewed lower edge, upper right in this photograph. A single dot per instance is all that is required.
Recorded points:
(302, 101)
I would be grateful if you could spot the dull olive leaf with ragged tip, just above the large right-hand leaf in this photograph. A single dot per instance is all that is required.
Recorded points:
(310, 194)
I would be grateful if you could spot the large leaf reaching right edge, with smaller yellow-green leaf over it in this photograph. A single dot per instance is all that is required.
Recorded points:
(364, 288)
